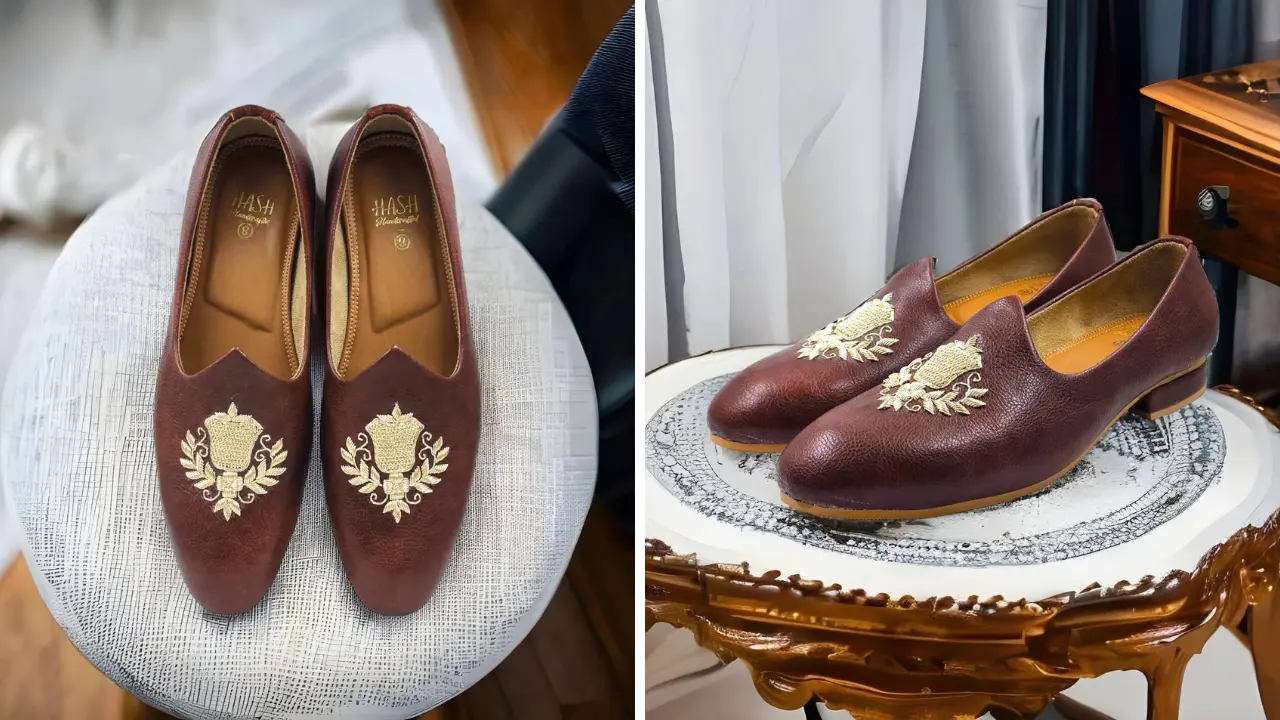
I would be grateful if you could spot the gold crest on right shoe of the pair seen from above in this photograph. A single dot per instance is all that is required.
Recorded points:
(387, 459)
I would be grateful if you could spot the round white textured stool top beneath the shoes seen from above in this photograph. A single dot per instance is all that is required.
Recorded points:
(77, 462)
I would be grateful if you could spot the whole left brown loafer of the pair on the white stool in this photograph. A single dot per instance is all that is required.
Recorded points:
(234, 393)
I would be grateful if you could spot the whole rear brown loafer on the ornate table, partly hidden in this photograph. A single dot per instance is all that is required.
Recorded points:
(772, 400)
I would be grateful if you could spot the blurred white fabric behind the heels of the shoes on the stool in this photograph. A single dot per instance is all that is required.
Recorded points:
(109, 90)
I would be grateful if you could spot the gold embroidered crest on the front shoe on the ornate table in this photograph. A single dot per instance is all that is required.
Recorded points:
(934, 384)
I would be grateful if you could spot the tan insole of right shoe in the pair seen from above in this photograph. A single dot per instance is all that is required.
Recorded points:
(396, 248)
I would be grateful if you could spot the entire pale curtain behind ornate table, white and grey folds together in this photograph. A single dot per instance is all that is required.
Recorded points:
(794, 172)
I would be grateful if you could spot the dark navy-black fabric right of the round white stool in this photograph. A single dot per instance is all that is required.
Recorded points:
(572, 203)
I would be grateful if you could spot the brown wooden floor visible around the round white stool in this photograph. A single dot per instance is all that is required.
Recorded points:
(520, 61)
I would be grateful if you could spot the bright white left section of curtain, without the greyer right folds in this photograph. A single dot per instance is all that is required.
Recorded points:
(790, 130)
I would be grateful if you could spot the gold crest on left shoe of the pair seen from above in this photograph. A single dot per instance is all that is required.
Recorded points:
(220, 458)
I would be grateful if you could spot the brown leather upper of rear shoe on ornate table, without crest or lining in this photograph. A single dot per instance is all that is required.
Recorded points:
(772, 400)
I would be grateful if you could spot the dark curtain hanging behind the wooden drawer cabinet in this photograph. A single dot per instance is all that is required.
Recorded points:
(1101, 136)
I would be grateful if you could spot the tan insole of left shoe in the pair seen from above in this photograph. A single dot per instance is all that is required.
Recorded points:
(239, 286)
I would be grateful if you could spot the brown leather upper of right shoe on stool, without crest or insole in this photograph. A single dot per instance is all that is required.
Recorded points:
(395, 567)
